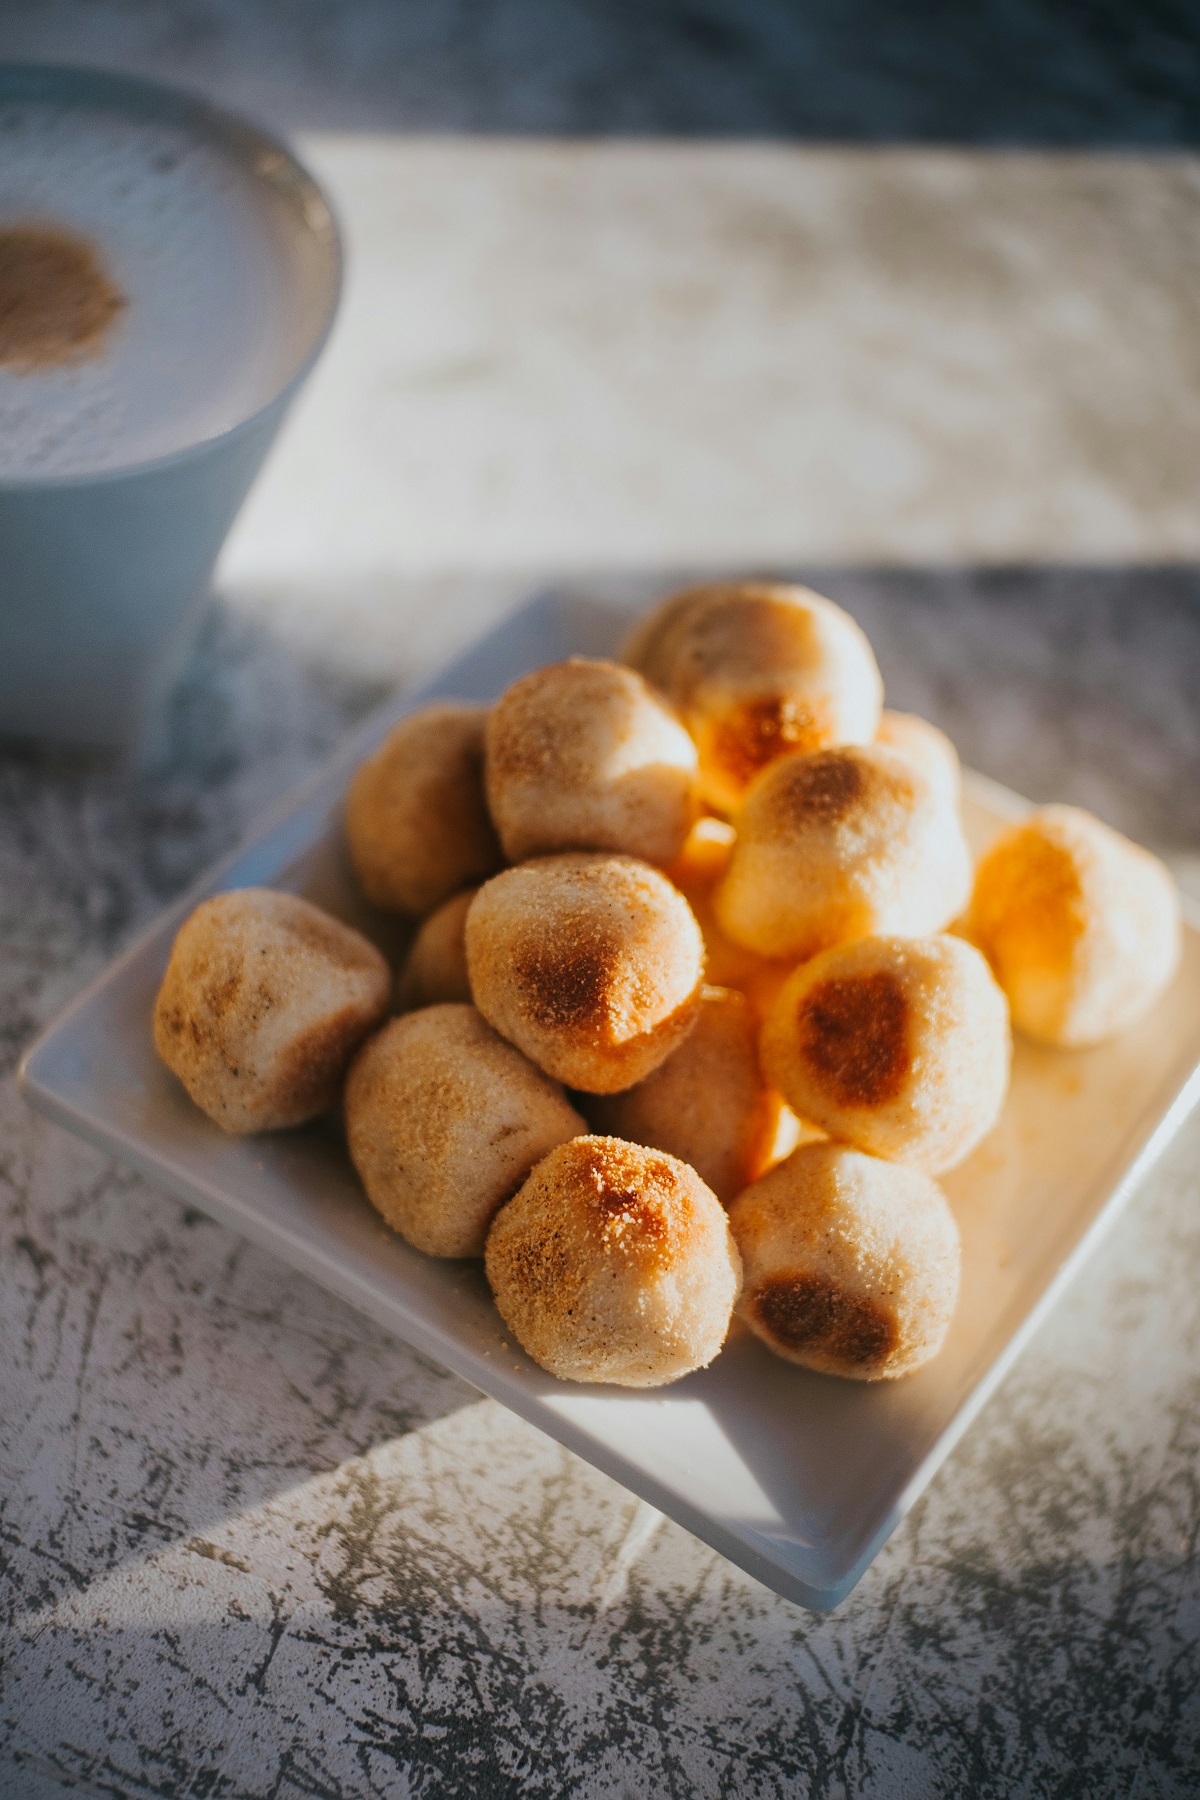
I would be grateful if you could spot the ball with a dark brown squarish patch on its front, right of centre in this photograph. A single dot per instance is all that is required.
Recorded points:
(895, 1045)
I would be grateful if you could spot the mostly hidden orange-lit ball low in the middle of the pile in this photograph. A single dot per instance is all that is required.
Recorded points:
(708, 1102)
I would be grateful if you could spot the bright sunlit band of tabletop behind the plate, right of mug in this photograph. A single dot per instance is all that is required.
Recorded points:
(631, 355)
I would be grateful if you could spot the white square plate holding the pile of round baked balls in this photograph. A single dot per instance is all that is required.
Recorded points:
(796, 1477)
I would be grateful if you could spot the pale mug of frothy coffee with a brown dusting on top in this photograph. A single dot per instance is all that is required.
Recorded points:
(168, 276)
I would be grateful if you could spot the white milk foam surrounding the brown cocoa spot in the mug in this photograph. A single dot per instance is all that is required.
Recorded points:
(213, 256)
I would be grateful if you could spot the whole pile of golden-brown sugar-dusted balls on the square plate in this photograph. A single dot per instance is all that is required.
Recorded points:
(703, 998)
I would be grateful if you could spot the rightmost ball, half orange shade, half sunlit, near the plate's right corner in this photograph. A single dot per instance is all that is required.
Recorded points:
(1080, 926)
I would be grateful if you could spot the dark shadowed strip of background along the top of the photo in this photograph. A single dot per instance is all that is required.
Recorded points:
(998, 73)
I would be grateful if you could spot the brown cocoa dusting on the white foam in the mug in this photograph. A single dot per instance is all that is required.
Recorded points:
(57, 301)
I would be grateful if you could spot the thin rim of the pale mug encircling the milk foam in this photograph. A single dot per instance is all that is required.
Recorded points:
(80, 84)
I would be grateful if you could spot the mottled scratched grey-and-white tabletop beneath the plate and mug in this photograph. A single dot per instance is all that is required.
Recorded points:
(251, 1545)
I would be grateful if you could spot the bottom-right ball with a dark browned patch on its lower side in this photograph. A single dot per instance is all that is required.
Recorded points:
(850, 1266)
